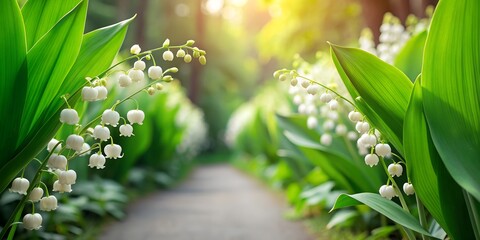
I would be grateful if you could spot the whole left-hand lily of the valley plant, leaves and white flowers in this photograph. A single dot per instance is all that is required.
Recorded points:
(50, 71)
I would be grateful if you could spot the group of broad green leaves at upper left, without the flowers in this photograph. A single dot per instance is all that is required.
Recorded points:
(55, 65)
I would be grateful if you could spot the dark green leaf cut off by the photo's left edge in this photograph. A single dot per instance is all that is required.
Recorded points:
(13, 75)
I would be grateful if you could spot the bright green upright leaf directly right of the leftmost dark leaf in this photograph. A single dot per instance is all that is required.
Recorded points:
(49, 61)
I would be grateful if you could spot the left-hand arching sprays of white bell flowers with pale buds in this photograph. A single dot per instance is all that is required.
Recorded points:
(98, 130)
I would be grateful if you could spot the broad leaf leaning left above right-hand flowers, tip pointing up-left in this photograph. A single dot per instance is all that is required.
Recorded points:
(383, 87)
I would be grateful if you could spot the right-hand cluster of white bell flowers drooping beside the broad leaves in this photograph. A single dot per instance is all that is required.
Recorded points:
(325, 103)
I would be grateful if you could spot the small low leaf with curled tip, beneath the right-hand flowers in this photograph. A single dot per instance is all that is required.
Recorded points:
(386, 207)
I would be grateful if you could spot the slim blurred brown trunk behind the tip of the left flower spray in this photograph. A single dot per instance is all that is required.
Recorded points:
(195, 79)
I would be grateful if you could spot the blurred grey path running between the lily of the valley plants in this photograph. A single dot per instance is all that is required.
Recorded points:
(216, 203)
